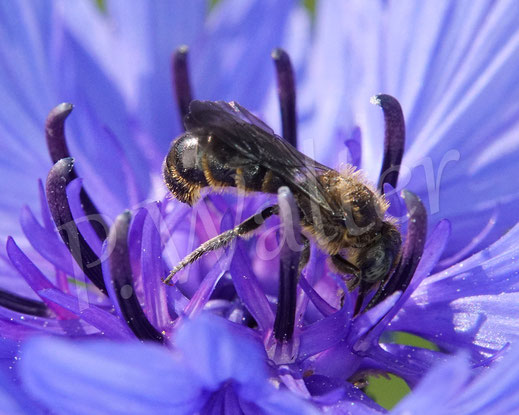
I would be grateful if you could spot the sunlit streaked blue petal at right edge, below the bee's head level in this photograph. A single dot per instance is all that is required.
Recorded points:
(473, 301)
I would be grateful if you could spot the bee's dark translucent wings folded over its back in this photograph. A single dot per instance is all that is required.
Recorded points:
(257, 144)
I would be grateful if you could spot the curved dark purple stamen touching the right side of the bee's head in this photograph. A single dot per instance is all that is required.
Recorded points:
(412, 250)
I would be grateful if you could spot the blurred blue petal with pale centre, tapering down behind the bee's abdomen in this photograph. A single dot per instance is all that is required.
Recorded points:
(133, 46)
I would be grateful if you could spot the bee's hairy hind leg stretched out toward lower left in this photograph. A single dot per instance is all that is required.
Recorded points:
(225, 238)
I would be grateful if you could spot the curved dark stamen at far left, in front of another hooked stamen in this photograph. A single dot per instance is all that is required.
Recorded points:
(59, 177)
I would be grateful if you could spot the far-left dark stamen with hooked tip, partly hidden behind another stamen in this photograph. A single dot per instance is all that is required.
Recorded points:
(58, 149)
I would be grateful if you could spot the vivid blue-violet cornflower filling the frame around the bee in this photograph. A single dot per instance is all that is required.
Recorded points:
(206, 345)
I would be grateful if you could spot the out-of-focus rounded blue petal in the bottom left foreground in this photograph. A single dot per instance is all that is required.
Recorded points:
(105, 377)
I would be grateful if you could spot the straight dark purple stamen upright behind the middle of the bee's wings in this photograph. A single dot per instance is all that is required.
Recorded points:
(287, 95)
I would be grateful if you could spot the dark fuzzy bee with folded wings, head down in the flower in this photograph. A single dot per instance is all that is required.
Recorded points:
(227, 146)
